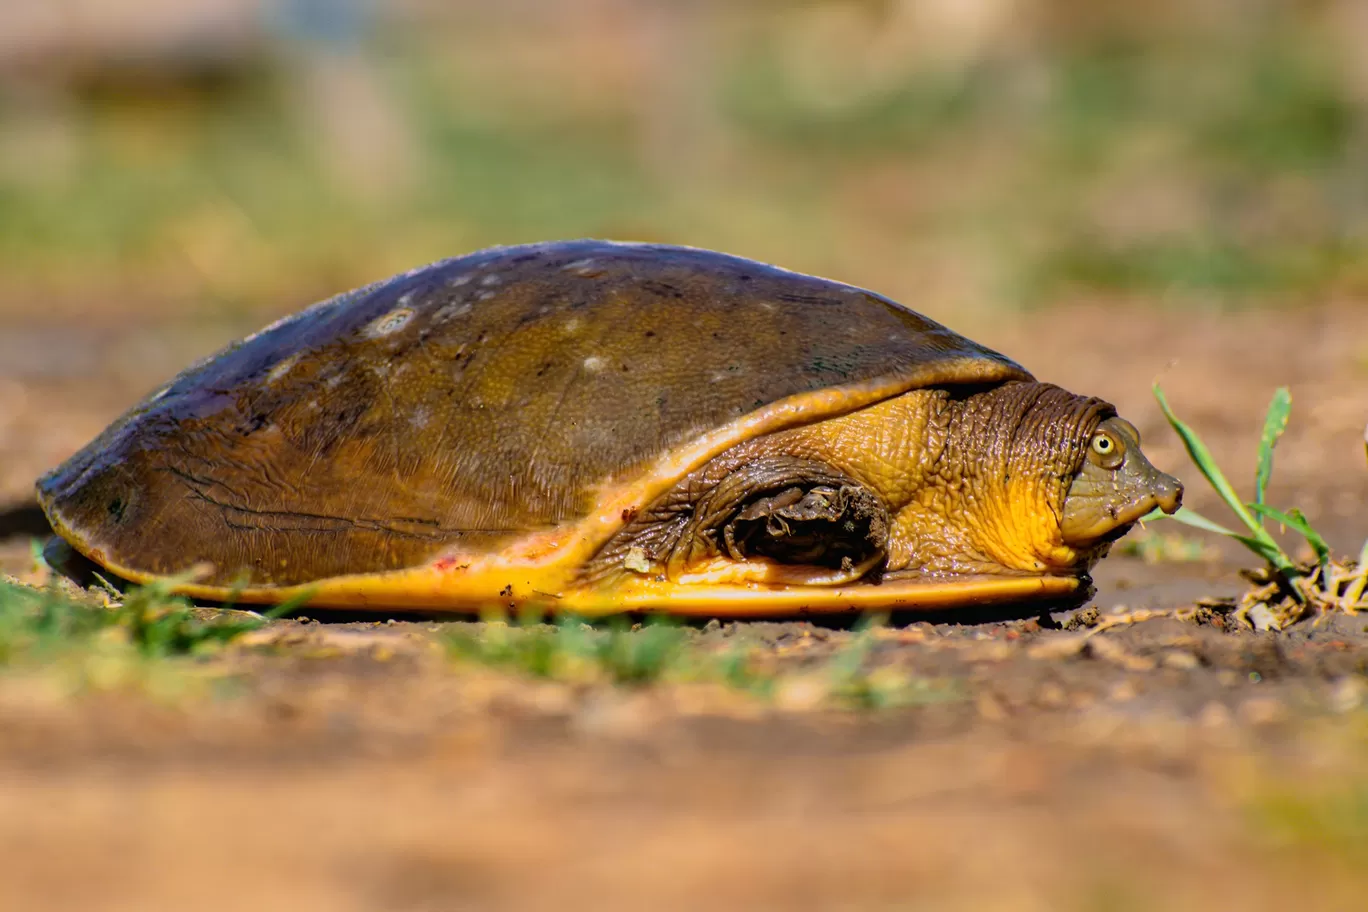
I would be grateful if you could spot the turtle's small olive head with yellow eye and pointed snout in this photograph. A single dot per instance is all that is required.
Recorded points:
(1116, 487)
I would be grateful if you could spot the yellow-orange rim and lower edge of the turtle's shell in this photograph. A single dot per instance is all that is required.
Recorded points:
(542, 568)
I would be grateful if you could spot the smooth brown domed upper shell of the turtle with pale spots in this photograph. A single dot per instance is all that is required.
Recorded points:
(460, 407)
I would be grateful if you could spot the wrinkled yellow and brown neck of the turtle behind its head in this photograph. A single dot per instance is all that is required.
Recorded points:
(975, 481)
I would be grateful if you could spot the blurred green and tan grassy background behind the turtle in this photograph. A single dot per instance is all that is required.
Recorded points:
(246, 157)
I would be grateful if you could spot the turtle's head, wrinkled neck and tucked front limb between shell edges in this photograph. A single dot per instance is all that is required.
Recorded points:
(1014, 479)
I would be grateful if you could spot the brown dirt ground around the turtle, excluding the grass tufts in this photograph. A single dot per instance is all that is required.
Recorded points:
(1047, 766)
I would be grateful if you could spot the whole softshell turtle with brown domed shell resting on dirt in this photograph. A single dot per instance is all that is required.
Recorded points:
(603, 427)
